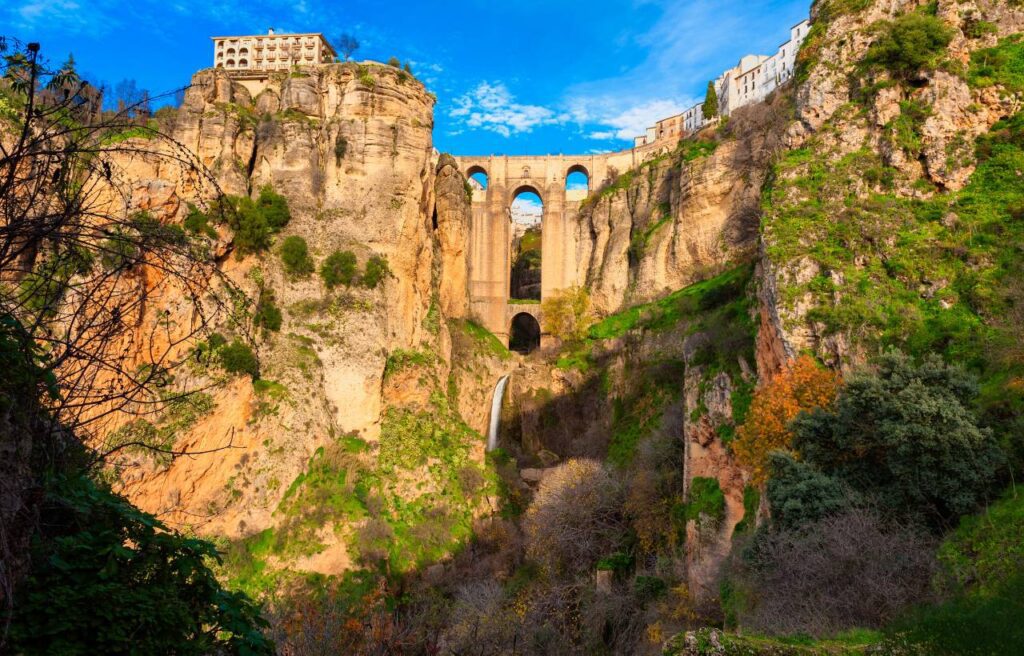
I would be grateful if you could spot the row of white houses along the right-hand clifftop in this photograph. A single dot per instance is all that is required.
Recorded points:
(750, 81)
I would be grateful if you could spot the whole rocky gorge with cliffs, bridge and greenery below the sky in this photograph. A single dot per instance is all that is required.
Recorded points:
(781, 349)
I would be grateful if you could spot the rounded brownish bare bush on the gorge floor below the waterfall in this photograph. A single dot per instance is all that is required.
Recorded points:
(576, 518)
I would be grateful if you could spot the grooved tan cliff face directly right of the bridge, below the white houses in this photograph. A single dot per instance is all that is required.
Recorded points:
(682, 216)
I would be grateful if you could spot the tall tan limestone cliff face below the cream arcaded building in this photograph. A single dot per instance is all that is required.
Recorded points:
(351, 149)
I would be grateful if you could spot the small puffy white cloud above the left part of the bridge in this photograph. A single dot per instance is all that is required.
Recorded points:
(492, 107)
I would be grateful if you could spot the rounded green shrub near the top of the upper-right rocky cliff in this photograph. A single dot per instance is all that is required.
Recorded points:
(910, 45)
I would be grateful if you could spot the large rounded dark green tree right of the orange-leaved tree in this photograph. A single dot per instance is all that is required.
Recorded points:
(904, 435)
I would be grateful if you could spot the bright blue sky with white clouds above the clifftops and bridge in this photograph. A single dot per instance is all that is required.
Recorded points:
(513, 78)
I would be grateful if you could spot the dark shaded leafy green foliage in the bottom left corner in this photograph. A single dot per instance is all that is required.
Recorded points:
(109, 579)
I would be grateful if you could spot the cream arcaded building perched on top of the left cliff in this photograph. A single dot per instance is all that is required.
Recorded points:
(272, 52)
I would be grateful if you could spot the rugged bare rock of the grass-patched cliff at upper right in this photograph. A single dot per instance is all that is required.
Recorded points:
(833, 128)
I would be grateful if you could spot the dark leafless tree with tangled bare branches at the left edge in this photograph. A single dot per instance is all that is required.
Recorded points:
(81, 266)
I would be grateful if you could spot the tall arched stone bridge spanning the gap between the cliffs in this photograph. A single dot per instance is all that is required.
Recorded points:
(491, 231)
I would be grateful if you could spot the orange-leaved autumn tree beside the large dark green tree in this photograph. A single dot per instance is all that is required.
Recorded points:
(802, 385)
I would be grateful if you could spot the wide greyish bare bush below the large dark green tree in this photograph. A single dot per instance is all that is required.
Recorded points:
(850, 571)
